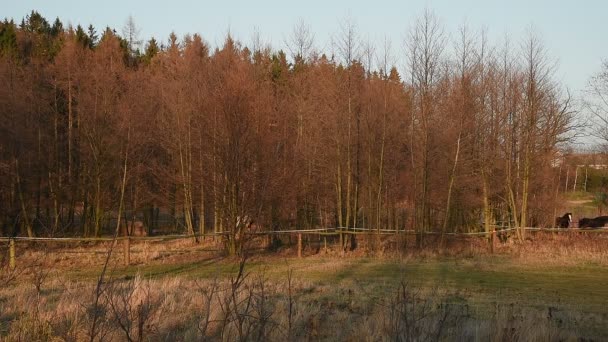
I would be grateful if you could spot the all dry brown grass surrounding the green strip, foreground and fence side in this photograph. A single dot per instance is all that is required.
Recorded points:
(42, 302)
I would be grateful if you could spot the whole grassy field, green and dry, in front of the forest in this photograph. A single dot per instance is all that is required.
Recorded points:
(551, 287)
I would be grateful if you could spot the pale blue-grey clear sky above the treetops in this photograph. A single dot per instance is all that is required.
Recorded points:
(573, 32)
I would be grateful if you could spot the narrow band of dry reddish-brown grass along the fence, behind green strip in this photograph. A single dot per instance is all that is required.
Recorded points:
(564, 248)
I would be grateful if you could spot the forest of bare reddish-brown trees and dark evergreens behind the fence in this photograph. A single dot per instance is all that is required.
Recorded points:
(467, 137)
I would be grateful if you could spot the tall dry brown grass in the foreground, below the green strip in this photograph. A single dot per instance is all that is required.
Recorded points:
(178, 309)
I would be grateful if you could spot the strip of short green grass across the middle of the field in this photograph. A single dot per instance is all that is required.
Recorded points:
(484, 279)
